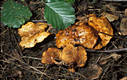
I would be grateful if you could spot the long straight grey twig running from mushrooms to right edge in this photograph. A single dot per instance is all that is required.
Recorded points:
(107, 51)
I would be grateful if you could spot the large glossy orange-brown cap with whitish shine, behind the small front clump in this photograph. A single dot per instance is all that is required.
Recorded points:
(77, 34)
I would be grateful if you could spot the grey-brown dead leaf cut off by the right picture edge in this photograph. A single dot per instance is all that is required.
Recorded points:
(123, 26)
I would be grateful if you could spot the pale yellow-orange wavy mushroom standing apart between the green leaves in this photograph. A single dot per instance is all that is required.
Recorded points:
(32, 33)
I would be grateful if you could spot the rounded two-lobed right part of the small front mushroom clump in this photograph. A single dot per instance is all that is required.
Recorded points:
(74, 55)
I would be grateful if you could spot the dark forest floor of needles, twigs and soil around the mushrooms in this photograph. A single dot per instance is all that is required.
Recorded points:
(109, 63)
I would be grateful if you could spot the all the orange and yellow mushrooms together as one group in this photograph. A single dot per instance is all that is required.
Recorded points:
(94, 32)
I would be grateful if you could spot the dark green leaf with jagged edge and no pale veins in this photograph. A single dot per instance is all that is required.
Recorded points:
(14, 14)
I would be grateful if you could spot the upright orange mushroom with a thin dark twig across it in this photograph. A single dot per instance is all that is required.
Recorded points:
(103, 27)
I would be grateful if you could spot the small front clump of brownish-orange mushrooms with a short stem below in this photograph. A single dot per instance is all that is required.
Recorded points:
(70, 56)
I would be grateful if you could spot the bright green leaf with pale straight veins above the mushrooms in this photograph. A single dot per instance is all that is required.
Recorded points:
(59, 14)
